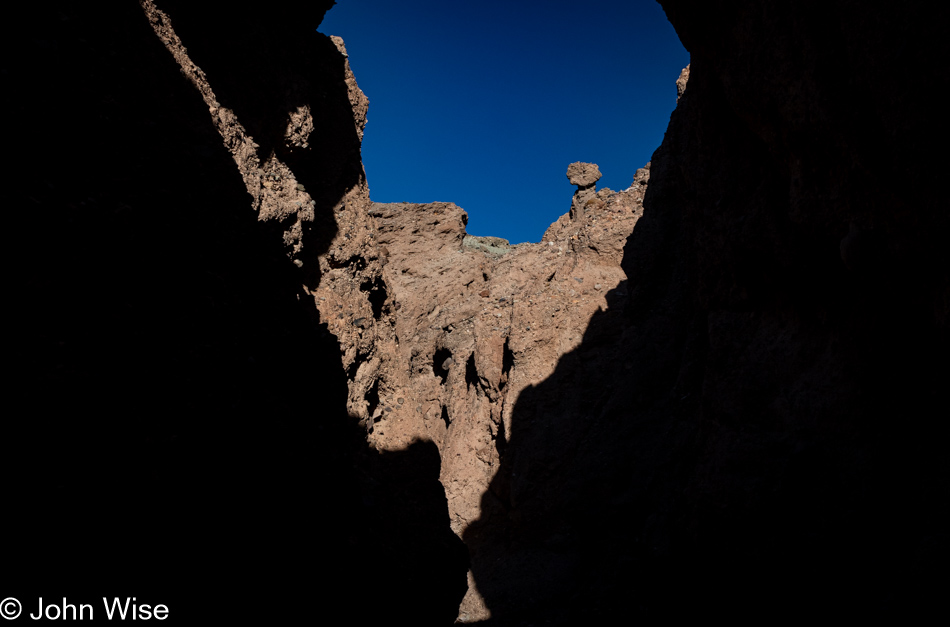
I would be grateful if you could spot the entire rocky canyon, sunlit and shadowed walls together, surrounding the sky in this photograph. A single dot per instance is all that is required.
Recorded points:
(716, 393)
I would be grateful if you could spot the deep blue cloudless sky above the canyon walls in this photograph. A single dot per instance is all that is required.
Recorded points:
(485, 104)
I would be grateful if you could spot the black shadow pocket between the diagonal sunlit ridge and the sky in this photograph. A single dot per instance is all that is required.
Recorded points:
(266, 65)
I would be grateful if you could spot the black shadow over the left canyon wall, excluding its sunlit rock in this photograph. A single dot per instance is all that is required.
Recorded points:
(182, 434)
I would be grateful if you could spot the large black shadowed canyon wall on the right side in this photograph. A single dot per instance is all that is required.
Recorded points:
(756, 437)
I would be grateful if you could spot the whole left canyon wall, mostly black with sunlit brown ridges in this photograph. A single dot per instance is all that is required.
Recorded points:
(207, 379)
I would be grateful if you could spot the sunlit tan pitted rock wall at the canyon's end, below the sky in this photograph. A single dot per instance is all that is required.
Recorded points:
(471, 322)
